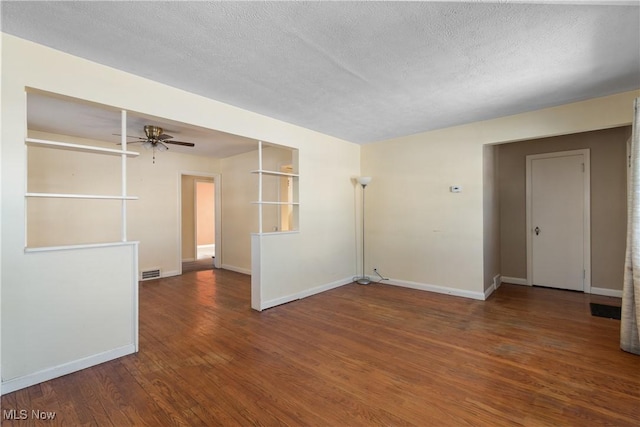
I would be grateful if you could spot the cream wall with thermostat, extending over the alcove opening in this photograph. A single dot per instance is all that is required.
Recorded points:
(423, 236)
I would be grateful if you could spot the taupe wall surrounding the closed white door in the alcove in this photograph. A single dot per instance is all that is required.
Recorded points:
(608, 201)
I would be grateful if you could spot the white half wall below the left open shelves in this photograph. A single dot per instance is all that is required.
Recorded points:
(75, 308)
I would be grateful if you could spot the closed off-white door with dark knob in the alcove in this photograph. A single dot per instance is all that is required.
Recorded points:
(558, 220)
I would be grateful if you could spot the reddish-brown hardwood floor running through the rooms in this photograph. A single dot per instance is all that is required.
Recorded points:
(353, 356)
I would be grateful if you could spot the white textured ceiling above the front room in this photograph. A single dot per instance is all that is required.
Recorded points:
(361, 71)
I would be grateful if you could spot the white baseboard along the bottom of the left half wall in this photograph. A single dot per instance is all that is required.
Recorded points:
(14, 384)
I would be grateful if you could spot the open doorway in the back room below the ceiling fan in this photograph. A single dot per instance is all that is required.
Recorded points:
(200, 235)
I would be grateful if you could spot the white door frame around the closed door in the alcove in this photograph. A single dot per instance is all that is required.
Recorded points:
(586, 227)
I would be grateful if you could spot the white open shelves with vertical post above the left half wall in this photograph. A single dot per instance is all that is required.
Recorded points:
(123, 197)
